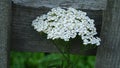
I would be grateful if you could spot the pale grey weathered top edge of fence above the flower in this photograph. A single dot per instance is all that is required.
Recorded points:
(79, 4)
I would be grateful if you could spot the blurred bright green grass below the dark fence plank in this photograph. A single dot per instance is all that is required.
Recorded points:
(49, 60)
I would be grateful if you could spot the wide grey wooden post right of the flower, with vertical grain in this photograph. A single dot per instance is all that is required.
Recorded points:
(108, 54)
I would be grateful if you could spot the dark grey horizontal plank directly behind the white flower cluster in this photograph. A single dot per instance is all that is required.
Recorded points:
(25, 38)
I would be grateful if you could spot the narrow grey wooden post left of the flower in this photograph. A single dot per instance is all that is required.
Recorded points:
(5, 7)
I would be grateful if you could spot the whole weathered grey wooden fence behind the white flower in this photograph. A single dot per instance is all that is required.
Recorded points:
(16, 32)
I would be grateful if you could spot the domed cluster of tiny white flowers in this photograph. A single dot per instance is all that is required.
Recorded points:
(66, 24)
